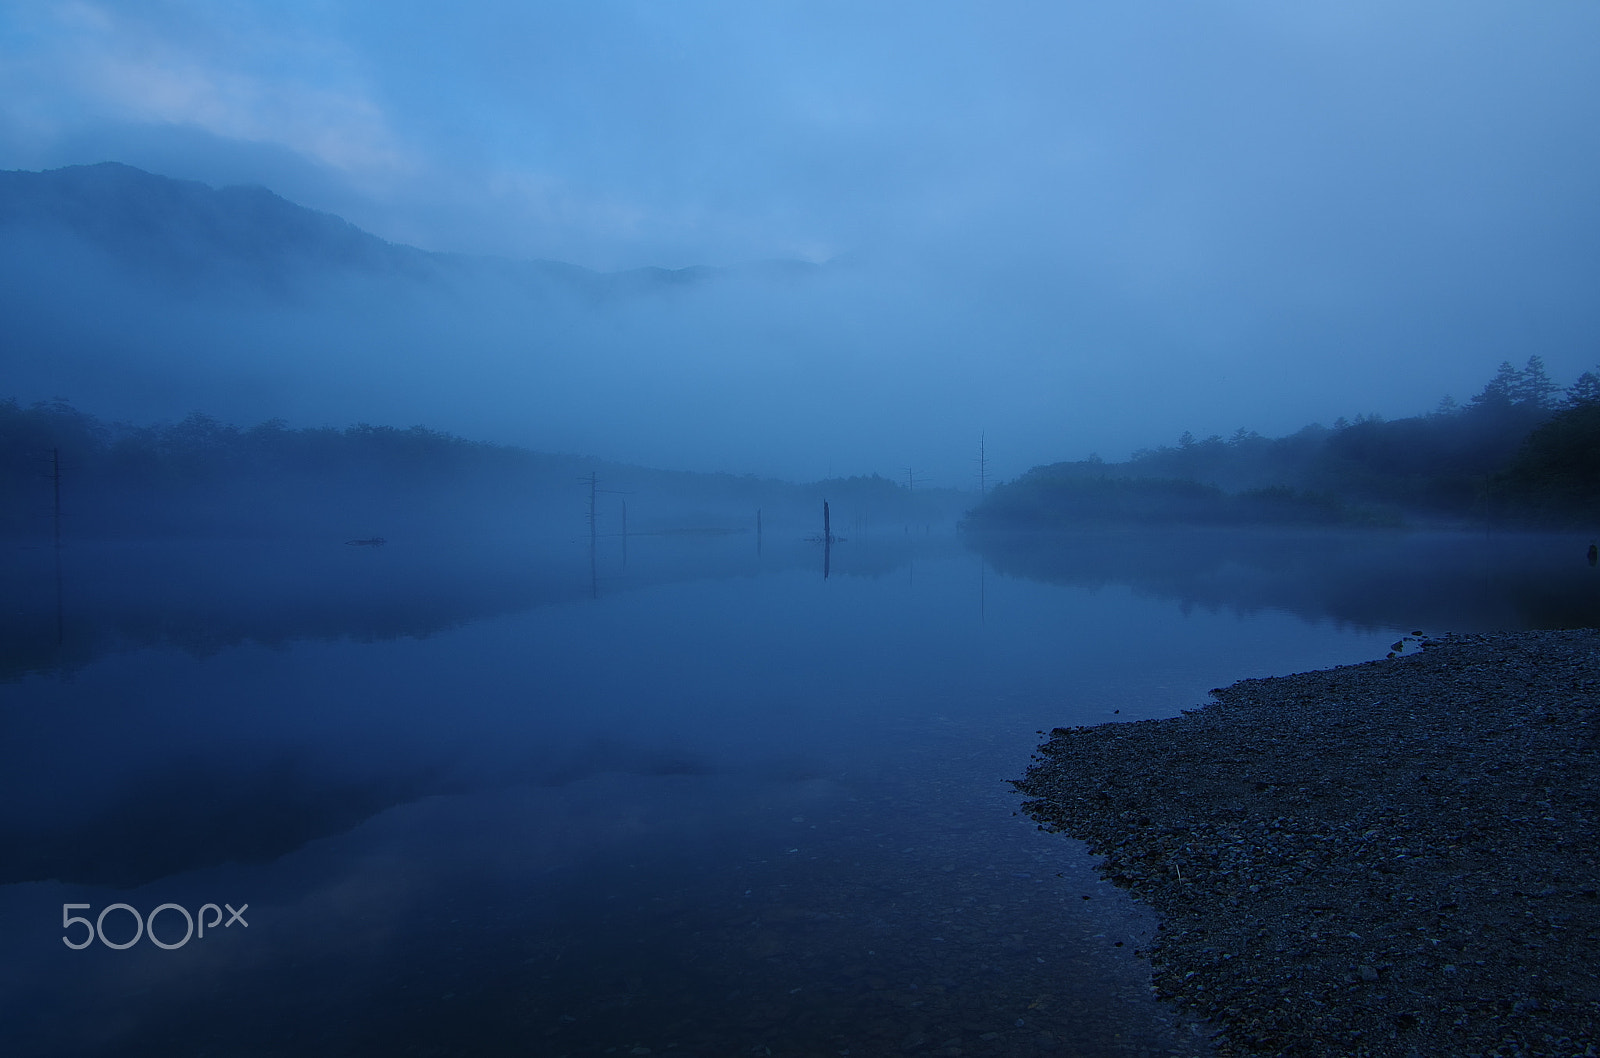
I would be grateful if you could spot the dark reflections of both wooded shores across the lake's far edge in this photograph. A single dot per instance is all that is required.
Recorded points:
(74, 606)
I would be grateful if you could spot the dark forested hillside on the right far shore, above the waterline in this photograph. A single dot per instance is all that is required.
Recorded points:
(1521, 452)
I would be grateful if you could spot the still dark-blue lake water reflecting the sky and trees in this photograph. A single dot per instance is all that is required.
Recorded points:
(687, 801)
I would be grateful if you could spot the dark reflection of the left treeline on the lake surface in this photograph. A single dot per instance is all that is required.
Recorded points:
(214, 596)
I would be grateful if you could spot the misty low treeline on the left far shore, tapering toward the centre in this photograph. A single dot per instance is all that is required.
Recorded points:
(206, 478)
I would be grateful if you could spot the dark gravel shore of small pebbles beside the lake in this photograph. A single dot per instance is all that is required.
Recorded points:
(1388, 859)
